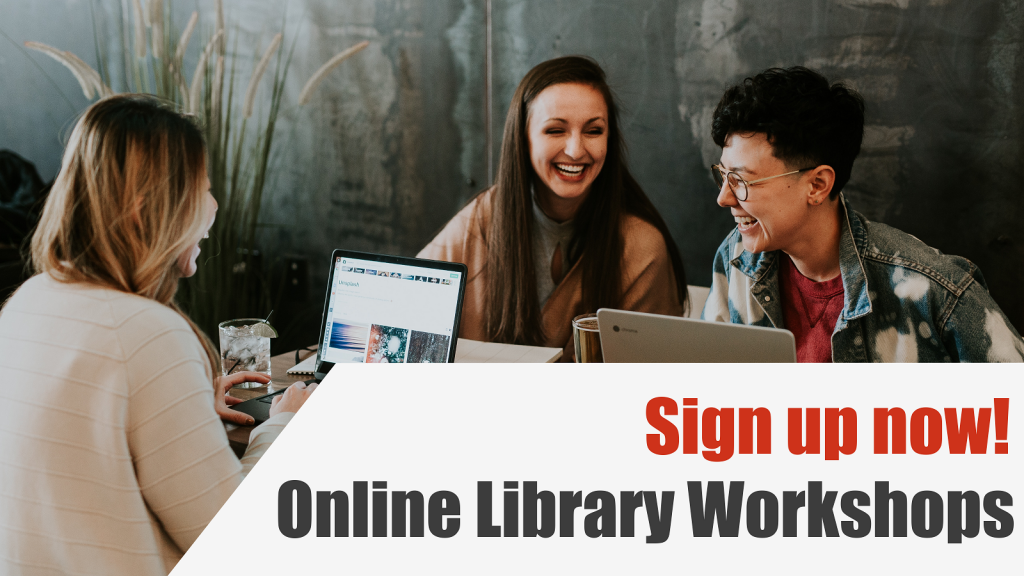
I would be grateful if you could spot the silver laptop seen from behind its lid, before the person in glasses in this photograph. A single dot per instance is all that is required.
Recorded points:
(634, 337)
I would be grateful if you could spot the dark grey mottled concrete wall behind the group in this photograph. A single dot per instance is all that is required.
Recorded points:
(397, 140)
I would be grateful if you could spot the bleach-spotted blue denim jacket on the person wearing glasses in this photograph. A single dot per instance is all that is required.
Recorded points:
(904, 301)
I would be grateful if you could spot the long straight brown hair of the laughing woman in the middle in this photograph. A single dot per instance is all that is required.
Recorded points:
(514, 313)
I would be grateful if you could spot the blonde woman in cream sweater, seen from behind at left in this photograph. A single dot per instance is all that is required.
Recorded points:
(114, 457)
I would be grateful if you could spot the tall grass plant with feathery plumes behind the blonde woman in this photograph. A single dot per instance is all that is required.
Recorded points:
(232, 280)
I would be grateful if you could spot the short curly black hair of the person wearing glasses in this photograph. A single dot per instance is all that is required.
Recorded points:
(808, 121)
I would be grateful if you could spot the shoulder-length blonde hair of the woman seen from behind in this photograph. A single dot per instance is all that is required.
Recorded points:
(127, 203)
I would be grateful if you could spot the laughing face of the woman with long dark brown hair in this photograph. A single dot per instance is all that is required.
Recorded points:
(569, 140)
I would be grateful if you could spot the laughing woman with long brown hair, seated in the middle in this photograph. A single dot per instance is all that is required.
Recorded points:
(566, 230)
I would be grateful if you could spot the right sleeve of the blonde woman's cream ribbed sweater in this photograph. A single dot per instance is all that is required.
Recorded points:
(185, 467)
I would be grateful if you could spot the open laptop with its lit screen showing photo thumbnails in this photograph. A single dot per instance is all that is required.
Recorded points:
(383, 309)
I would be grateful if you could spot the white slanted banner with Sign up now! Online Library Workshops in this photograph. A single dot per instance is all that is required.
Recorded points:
(520, 469)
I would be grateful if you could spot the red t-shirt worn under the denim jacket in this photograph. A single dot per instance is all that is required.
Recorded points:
(810, 311)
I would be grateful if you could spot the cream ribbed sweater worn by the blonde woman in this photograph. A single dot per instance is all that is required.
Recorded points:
(113, 458)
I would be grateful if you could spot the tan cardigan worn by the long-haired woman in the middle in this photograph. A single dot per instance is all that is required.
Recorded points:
(649, 282)
